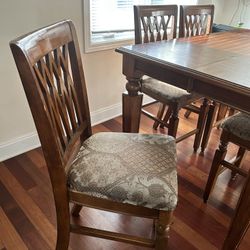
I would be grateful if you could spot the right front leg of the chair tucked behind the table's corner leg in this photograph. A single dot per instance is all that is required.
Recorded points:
(201, 124)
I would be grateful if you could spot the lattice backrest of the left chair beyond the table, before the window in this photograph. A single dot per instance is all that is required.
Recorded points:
(155, 22)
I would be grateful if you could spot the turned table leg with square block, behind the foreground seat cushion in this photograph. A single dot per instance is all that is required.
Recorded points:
(131, 106)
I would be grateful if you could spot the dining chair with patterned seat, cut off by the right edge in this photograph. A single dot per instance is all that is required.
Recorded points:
(235, 129)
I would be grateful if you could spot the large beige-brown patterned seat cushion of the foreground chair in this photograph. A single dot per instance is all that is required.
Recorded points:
(138, 169)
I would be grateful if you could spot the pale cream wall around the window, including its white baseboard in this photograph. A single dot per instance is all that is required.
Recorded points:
(105, 82)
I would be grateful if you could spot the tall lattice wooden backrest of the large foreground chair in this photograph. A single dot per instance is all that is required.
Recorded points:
(50, 67)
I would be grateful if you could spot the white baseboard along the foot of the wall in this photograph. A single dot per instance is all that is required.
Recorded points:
(30, 141)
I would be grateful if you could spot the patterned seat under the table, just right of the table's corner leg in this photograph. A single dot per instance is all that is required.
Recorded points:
(167, 93)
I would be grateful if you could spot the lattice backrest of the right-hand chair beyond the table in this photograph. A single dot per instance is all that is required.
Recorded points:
(195, 20)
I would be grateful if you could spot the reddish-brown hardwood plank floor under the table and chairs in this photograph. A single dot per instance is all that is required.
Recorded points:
(27, 215)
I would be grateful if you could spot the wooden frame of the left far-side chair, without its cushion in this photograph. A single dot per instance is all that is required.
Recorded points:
(170, 119)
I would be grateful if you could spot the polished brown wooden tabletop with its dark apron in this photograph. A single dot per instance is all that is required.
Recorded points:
(210, 65)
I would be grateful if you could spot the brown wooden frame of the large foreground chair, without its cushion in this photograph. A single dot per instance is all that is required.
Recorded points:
(59, 151)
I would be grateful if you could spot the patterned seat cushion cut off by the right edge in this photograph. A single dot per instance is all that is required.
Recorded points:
(238, 125)
